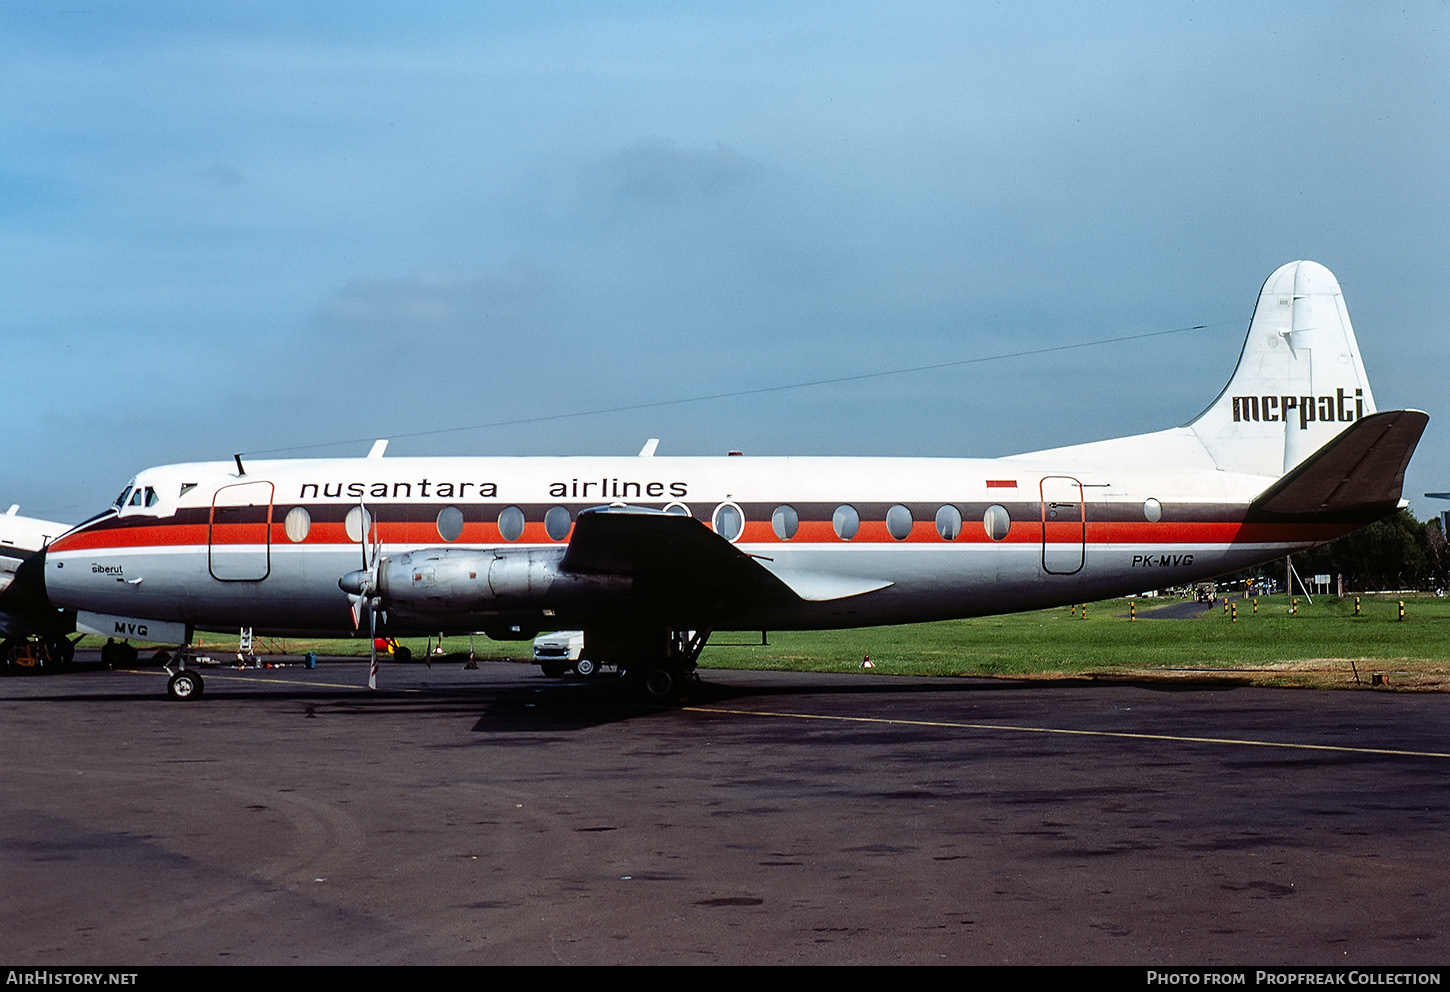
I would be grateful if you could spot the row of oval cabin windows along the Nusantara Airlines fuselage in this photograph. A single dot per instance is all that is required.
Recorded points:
(729, 521)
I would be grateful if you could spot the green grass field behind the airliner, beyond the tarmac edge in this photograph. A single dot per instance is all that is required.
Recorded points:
(1314, 648)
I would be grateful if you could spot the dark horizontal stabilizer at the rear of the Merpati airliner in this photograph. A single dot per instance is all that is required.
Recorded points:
(1359, 472)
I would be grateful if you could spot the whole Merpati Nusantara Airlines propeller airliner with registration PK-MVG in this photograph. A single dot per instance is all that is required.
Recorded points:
(647, 556)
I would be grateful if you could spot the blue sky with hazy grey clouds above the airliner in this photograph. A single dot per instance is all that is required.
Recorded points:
(244, 230)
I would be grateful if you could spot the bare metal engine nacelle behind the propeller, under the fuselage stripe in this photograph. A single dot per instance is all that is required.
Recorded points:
(468, 581)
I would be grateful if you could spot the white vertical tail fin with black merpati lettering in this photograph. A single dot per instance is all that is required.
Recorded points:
(1300, 381)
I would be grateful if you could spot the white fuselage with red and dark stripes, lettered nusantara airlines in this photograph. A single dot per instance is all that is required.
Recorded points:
(935, 537)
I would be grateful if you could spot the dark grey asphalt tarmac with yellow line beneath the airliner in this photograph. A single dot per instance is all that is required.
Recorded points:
(494, 816)
